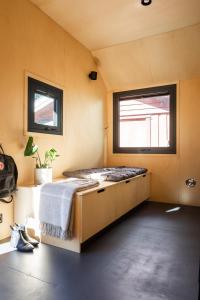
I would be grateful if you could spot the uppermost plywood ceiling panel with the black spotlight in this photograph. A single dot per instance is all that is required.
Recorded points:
(101, 23)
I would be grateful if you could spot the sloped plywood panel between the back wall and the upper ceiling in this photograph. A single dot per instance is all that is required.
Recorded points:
(166, 57)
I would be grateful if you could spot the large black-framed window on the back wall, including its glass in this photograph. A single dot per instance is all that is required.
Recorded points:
(144, 121)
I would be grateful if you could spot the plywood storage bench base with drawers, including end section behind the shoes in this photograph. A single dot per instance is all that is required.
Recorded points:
(94, 208)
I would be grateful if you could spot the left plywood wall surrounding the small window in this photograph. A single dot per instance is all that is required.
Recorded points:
(31, 41)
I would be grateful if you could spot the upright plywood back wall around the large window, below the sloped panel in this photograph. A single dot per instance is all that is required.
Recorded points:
(169, 171)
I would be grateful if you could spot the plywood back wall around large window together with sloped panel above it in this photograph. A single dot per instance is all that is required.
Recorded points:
(164, 59)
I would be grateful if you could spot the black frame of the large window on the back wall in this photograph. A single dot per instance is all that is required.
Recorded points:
(142, 93)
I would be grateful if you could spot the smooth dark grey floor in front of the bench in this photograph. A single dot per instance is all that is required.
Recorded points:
(148, 255)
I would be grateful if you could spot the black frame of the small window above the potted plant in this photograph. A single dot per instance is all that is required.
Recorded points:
(49, 90)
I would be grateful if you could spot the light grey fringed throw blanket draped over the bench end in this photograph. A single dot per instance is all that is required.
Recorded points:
(56, 206)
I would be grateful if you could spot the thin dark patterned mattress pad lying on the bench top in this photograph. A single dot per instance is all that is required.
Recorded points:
(107, 174)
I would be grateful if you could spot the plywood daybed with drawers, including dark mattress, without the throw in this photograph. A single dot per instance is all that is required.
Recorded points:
(96, 208)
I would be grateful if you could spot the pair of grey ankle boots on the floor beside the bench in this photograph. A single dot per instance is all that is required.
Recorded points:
(21, 240)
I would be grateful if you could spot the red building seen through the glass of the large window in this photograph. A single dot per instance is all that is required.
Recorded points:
(146, 121)
